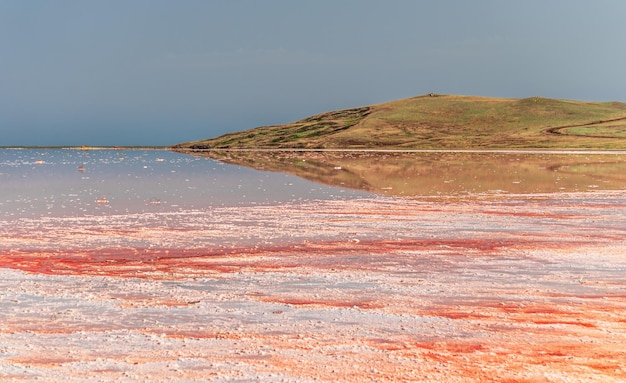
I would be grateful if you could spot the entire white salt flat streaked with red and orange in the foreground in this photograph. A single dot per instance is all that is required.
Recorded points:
(527, 288)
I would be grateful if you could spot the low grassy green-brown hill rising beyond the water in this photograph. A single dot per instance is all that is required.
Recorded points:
(445, 122)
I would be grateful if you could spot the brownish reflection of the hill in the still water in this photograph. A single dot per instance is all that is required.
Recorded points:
(433, 174)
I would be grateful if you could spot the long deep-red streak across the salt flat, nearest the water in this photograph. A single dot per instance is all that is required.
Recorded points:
(177, 263)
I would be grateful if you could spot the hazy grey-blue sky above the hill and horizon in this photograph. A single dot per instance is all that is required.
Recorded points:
(159, 72)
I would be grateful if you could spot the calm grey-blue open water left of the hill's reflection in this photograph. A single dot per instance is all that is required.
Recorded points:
(96, 182)
